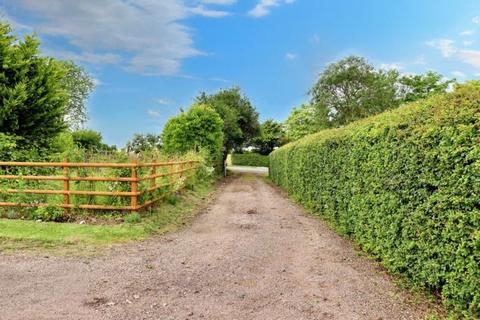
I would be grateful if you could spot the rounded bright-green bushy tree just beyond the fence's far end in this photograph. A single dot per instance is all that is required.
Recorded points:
(198, 128)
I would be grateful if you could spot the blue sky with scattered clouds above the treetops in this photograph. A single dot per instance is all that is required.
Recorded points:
(151, 57)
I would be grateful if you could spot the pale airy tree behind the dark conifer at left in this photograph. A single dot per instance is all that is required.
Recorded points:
(78, 85)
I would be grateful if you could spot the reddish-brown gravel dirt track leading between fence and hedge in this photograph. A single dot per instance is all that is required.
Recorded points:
(252, 255)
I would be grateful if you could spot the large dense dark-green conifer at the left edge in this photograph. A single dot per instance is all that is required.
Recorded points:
(33, 100)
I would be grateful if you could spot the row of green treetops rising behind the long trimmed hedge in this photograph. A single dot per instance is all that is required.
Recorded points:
(352, 89)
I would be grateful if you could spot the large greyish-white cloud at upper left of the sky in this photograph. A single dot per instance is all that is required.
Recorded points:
(146, 36)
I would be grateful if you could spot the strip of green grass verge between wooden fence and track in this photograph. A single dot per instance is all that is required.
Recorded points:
(83, 239)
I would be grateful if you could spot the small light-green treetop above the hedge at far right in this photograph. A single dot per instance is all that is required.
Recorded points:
(421, 86)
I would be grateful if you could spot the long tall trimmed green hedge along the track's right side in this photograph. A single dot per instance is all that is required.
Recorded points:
(405, 186)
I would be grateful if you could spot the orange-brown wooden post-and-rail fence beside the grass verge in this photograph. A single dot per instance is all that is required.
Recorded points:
(173, 172)
